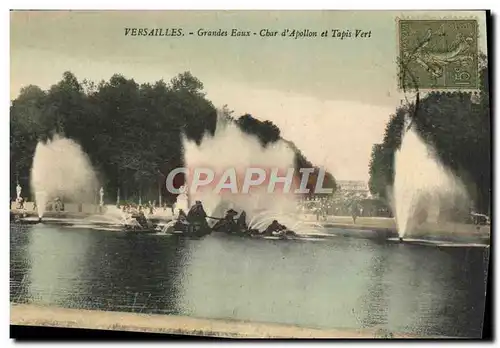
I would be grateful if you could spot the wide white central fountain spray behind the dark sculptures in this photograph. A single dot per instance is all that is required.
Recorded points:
(232, 148)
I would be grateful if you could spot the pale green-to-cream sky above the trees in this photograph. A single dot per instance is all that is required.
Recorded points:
(331, 97)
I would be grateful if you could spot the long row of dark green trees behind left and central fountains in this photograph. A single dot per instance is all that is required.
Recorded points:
(131, 133)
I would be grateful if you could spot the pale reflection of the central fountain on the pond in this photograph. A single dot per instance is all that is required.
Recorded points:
(312, 283)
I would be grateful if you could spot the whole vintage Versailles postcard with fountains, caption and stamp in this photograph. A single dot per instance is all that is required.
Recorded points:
(251, 174)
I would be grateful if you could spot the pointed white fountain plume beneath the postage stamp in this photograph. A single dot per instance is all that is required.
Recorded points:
(422, 185)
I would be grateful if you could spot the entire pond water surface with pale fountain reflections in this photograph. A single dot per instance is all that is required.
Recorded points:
(341, 283)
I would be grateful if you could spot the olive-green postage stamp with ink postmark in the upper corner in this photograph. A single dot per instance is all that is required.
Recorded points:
(438, 54)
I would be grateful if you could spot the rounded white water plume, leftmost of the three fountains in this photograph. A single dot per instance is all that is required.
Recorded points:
(61, 169)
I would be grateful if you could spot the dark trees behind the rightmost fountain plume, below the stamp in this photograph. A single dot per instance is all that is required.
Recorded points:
(457, 125)
